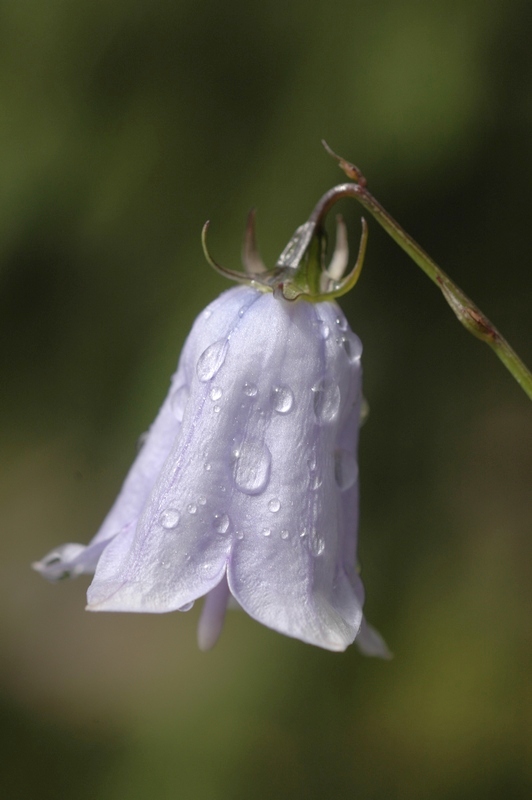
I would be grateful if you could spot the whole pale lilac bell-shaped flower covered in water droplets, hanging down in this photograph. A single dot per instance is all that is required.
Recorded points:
(246, 485)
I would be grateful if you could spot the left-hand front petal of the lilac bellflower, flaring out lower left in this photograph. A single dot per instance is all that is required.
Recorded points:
(182, 541)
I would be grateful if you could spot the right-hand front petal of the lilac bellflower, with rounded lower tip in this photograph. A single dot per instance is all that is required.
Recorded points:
(286, 568)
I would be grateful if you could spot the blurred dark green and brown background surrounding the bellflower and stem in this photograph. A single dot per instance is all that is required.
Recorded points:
(123, 126)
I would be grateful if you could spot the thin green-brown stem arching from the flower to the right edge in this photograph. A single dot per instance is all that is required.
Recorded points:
(466, 311)
